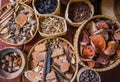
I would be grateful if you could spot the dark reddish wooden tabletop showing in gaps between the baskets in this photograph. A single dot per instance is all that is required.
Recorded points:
(108, 76)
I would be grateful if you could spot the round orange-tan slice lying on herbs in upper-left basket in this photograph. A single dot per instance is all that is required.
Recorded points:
(21, 19)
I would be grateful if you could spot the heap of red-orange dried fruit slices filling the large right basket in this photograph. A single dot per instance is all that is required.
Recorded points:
(99, 43)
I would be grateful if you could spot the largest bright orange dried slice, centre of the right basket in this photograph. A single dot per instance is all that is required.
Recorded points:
(98, 42)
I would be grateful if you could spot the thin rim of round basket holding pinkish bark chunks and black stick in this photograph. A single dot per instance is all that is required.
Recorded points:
(29, 55)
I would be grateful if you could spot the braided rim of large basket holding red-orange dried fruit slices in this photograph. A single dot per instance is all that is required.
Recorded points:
(76, 38)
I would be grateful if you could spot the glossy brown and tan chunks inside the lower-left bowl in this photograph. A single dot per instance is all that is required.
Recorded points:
(11, 62)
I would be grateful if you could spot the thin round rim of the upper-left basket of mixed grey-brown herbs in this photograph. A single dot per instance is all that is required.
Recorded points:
(22, 4)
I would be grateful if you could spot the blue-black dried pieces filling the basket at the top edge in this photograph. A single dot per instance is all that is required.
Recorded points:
(46, 6)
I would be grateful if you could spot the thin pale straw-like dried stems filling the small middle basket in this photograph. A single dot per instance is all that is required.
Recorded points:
(52, 25)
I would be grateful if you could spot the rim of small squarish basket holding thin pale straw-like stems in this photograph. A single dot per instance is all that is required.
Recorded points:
(53, 34)
